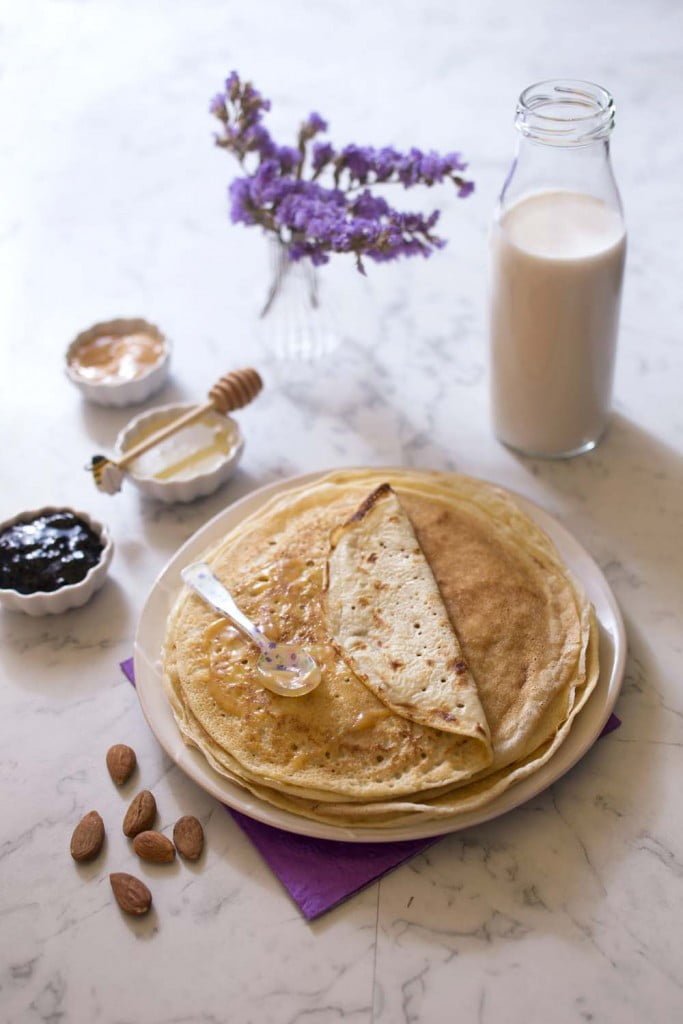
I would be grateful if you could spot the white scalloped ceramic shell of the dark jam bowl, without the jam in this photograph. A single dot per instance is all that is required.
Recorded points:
(72, 595)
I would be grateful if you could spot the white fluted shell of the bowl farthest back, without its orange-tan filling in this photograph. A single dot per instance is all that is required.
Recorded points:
(121, 393)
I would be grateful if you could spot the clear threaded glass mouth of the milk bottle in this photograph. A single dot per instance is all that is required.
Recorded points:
(566, 112)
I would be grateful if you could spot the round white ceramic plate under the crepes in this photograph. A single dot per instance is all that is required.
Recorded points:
(585, 732)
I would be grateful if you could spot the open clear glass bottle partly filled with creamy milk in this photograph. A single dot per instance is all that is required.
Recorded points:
(559, 249)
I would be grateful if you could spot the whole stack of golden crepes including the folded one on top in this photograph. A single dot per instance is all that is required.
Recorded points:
(456, 650)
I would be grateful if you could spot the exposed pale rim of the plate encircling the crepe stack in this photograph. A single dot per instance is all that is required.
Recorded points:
(194, 764)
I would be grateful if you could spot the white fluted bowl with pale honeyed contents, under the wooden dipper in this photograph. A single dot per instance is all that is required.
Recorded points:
(190, 464)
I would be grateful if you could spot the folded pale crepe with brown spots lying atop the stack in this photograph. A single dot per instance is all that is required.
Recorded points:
(388, 617)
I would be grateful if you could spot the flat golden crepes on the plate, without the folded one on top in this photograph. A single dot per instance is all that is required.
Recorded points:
(340, 754)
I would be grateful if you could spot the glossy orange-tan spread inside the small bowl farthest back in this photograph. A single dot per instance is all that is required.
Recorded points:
(112, 358)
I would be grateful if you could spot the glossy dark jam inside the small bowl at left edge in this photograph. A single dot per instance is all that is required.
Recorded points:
(48, 552)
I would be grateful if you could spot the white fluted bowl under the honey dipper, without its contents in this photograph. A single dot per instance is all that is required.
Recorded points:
(203, 483)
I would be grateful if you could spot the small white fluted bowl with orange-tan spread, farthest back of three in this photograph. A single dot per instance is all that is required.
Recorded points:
(119, 362)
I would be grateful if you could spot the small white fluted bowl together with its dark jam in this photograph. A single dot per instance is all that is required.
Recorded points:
(52, 560)
